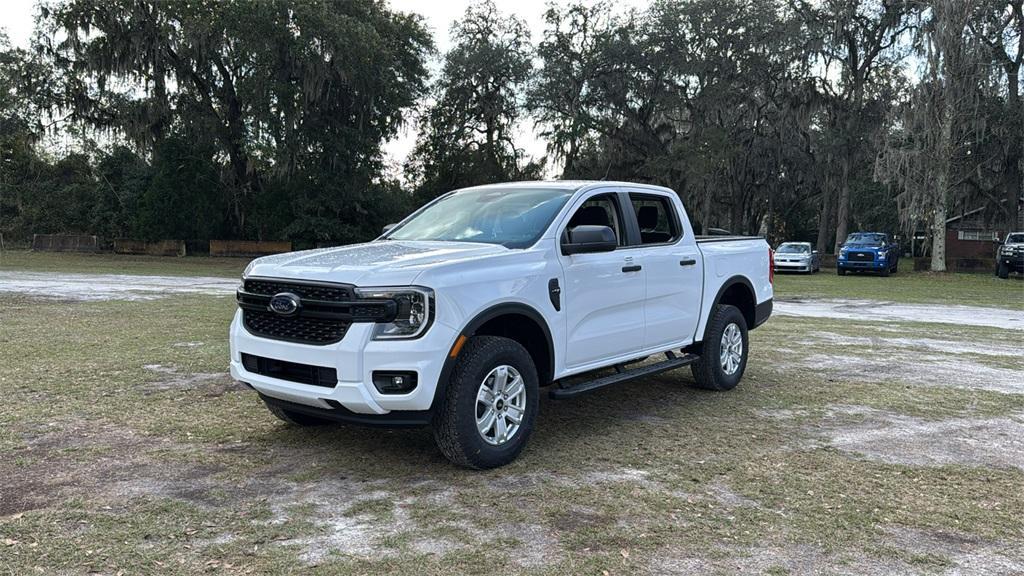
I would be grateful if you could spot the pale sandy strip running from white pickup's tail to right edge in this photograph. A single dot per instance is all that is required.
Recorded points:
(876, 311)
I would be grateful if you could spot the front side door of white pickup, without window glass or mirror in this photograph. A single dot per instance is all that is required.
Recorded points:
(604, 295)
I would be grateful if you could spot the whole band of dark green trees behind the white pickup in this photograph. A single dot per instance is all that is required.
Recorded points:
(267, 120)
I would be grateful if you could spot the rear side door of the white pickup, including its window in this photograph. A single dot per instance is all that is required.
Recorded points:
(674, 270)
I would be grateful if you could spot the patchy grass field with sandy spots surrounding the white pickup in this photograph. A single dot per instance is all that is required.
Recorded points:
(849, 447)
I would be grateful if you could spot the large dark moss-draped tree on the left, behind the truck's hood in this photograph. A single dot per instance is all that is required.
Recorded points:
(281, 91)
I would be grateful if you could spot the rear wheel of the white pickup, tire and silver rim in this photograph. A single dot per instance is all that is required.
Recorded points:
(723, 359)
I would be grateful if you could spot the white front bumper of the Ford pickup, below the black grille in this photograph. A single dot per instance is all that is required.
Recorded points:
(355, 359)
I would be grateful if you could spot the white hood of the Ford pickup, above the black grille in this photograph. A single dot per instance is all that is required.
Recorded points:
(383, 263)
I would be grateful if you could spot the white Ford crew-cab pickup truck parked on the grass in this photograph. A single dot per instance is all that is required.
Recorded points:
(458, 316)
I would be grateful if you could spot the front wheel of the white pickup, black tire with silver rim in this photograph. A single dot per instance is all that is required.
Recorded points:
(490, 406)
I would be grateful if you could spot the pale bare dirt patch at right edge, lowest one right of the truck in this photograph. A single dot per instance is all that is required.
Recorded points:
(900, 439)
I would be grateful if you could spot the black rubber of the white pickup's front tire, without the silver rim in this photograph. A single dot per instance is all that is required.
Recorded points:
(455, 425)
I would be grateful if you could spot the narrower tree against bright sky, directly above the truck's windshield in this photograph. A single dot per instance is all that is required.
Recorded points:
(467, 137)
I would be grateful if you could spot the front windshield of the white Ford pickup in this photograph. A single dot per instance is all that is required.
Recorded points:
(513, 218)
